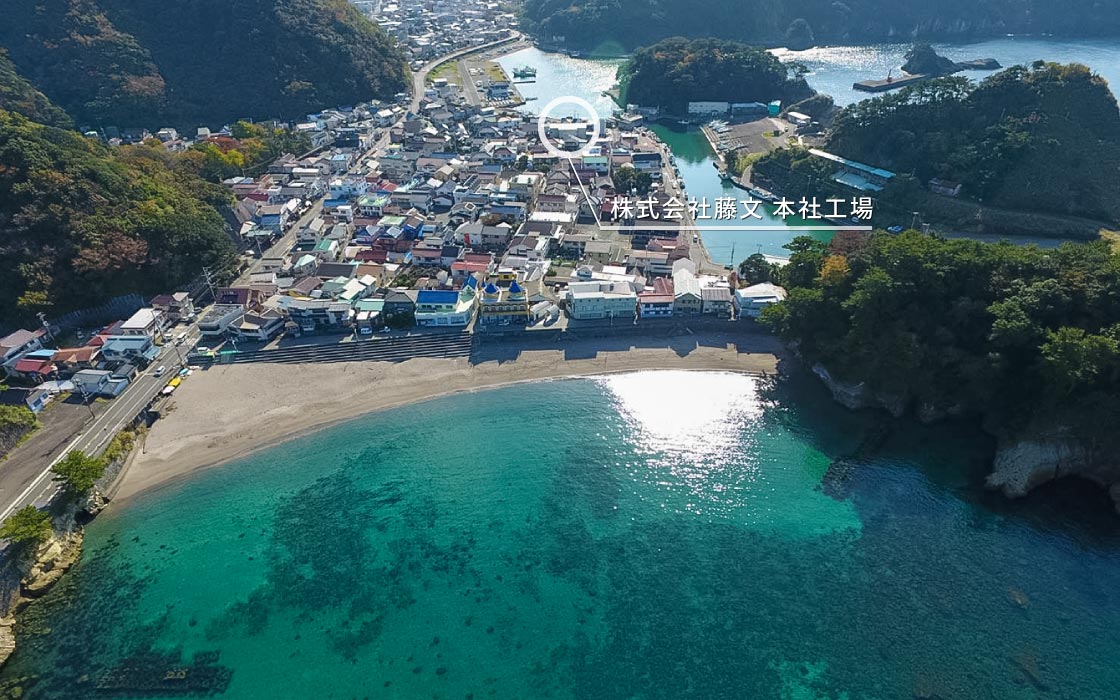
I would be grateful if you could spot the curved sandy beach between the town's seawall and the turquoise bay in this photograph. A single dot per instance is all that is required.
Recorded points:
(229, 412)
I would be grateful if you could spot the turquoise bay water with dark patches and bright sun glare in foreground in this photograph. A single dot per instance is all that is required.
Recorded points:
(656, 536)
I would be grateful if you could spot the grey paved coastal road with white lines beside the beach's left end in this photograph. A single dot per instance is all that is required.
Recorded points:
(33, 484)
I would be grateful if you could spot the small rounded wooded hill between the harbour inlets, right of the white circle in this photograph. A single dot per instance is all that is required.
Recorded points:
(675, 72)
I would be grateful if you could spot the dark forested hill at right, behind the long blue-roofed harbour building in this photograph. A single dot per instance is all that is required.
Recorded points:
(1042, 139)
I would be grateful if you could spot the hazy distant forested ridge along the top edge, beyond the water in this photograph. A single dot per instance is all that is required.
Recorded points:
(630, 24)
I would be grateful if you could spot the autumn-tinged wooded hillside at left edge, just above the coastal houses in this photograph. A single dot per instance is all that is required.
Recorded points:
(80, 222)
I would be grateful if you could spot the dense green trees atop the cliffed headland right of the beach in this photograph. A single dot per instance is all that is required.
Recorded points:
(1011, 333)
